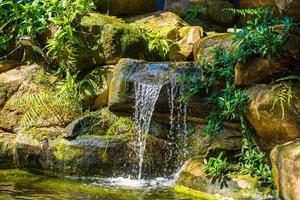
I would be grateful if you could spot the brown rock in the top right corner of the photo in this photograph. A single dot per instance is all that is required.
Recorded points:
(289, 8)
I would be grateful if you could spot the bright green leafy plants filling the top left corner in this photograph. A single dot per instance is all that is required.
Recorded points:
(32, 18)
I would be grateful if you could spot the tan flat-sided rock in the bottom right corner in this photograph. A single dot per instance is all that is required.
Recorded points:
(286, 169)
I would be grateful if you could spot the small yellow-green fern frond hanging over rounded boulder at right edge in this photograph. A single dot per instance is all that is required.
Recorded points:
(282, 97)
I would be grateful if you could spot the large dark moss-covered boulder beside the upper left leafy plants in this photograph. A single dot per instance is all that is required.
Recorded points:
(106, 40)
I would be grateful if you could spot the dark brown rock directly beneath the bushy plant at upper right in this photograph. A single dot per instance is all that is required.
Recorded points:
(255, 70)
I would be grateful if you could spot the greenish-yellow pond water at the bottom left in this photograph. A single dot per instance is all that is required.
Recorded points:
(22, 185)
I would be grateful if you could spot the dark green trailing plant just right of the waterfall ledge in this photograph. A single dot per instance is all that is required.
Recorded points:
(228, 103)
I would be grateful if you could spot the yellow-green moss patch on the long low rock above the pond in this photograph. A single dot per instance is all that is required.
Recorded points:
(64, 151)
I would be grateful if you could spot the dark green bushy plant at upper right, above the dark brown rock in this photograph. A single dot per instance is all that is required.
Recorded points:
(263, 36)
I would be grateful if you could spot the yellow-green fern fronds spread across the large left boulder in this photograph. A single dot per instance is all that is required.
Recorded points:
(56, 103)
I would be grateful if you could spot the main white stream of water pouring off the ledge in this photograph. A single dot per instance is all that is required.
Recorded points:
(146, 96)
